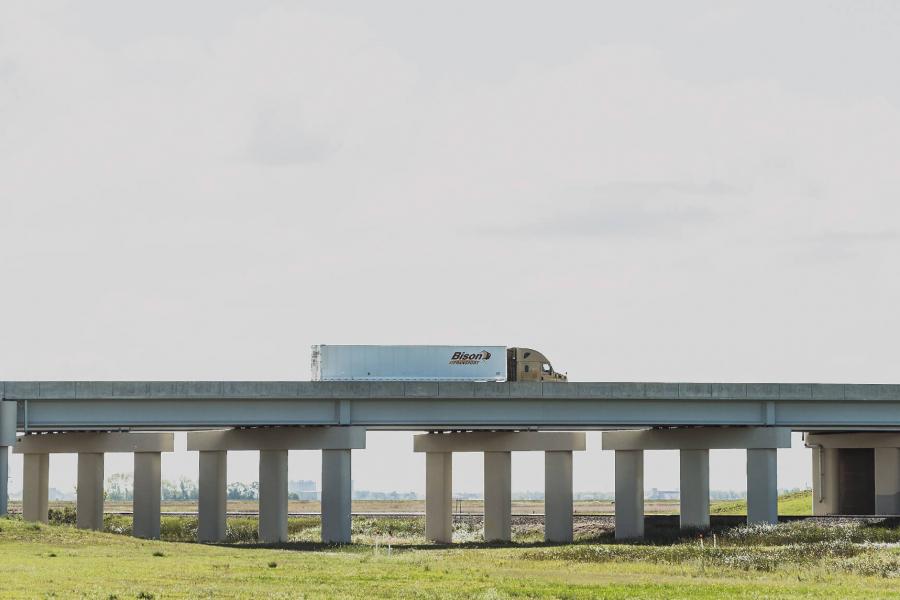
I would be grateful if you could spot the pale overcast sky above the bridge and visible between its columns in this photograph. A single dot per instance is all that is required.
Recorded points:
(650, 191)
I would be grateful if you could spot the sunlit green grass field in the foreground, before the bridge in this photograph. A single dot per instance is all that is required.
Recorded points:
(795, 560)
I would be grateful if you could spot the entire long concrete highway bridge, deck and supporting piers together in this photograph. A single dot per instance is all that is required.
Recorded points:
(852, 429)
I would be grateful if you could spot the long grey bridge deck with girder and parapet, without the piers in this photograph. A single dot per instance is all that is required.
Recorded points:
(417, 406)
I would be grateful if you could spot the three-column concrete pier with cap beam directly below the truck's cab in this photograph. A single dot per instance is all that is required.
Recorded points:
(497, 448)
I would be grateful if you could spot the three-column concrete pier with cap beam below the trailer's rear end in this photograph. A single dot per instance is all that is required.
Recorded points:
(273, 444)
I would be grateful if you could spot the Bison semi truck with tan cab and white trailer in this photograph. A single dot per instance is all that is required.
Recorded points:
(430, 363)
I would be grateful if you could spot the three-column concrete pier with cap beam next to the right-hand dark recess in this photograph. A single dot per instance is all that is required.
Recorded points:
(694, 444)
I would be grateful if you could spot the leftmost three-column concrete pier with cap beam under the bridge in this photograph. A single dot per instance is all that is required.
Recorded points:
(91, 448)
